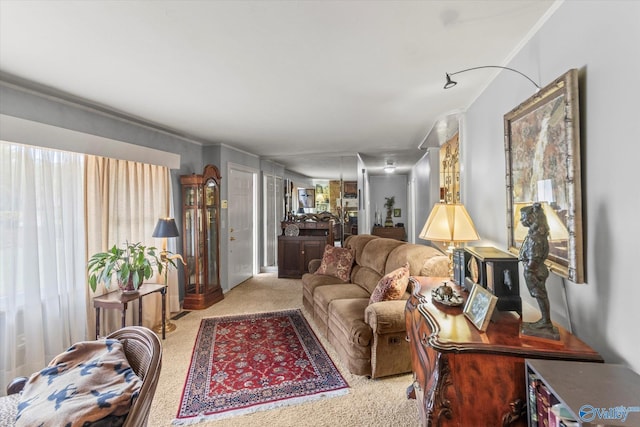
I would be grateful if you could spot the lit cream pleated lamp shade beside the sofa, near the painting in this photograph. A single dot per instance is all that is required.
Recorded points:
(449, 222)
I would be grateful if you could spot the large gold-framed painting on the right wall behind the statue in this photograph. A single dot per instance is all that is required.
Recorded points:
(542, 148)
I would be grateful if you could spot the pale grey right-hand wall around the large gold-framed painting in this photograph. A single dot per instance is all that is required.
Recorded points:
(601, 40)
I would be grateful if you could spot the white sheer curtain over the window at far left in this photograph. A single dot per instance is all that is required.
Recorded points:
(43, 290)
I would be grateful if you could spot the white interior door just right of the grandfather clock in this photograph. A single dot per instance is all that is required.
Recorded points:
(242, 224)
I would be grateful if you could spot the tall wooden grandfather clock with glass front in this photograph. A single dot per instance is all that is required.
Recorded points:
(201, 231)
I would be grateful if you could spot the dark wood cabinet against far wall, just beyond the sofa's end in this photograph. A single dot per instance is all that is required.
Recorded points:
(295, 252)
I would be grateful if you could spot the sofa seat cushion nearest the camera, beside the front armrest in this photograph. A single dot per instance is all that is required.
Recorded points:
(346, 319)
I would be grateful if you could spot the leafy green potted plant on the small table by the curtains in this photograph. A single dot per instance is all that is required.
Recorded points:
(130, 265)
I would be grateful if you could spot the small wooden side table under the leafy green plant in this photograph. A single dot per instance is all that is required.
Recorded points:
(118, 300)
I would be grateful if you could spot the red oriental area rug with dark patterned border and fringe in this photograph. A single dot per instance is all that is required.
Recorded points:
(243, 364)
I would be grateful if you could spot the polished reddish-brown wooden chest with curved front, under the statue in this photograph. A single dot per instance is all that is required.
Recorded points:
(463, 377)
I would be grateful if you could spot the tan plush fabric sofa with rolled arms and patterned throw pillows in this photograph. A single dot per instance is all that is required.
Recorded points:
(369, 338)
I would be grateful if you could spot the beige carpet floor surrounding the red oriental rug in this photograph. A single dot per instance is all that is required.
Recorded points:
(380, 402)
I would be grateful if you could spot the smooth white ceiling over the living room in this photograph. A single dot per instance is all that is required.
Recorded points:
(306, 83)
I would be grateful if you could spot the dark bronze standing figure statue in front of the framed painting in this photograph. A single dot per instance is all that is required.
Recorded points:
(533, 253)
